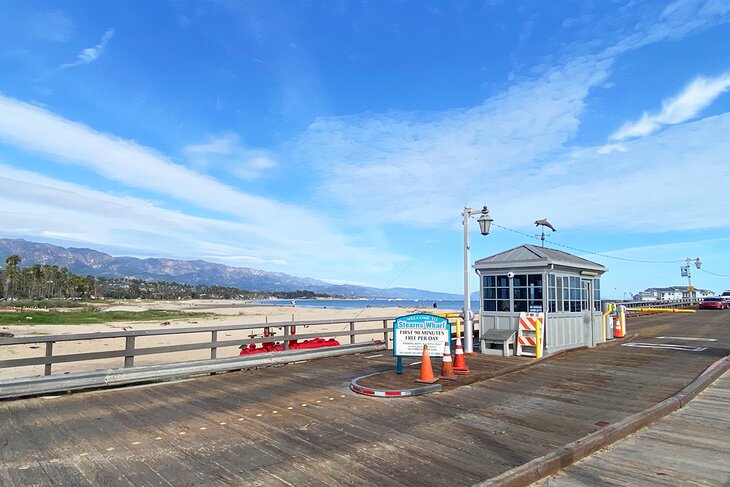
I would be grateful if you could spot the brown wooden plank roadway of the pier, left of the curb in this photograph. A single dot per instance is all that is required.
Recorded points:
(300, 425)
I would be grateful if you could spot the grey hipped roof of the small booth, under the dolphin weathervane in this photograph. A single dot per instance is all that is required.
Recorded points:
(534, 256)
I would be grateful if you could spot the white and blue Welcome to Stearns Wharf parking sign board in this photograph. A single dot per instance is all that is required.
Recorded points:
(412, 332)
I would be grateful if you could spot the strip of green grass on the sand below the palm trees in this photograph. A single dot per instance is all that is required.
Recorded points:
(89, 316)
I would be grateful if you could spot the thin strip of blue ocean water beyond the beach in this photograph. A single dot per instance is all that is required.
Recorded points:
(369, 303)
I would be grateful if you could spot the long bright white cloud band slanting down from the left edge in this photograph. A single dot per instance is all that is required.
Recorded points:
(313, 239)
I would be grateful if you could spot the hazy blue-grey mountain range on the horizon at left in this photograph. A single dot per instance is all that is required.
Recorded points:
(99, 264)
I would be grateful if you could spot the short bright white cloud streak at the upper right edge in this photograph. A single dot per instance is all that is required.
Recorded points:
(699, 94)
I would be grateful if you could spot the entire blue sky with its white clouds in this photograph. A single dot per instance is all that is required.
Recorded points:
(341, 139)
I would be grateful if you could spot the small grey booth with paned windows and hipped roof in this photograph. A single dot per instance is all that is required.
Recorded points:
(529, 278)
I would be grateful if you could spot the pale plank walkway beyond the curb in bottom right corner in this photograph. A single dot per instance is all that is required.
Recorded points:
(689, 447)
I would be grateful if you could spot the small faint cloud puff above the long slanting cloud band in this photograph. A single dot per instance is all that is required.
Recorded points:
(228, 152)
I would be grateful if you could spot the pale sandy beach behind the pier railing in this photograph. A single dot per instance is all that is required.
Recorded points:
(222, 313)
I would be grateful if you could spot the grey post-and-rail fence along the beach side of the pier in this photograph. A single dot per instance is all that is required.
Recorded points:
(131, 350)
